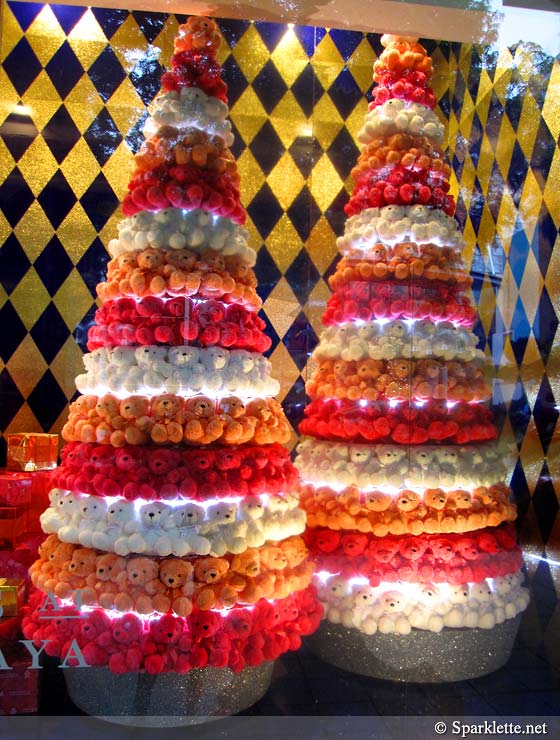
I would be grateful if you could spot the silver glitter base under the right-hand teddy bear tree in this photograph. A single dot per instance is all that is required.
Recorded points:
(419, 657)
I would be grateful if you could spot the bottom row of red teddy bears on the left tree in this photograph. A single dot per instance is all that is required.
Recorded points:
(241, 637)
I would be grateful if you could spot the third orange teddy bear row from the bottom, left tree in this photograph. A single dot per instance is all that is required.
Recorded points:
(180, 272)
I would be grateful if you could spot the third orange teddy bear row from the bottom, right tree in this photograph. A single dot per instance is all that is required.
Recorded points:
(403, 261)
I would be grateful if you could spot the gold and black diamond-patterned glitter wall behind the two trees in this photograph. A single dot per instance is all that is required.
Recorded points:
(74, 87)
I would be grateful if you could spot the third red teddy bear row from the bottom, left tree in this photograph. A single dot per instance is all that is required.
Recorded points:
(154, 321)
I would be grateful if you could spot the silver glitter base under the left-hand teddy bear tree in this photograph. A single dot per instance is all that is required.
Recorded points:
(166, 699)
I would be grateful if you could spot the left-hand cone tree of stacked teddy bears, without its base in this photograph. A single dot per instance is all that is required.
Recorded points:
(173, 526)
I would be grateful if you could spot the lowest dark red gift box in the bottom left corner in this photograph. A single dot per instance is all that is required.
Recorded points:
(19, 687)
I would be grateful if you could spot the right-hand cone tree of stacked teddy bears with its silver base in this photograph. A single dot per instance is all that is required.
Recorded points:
(408, 517)
